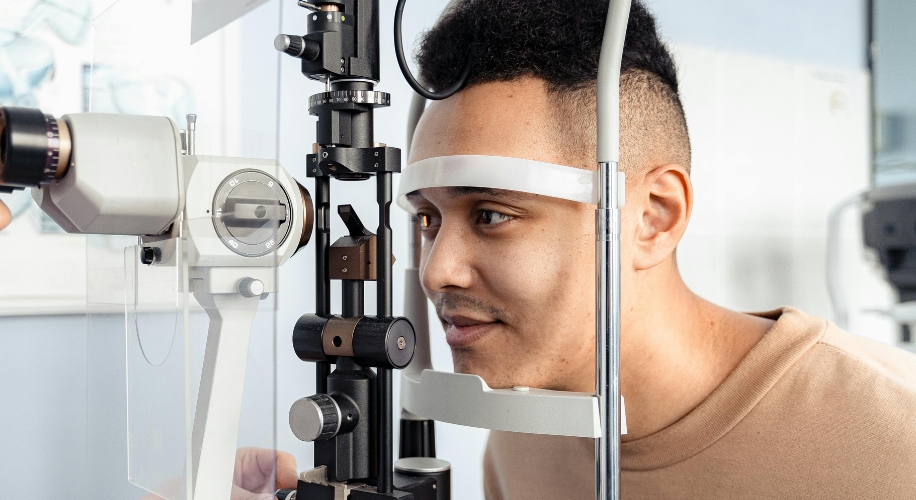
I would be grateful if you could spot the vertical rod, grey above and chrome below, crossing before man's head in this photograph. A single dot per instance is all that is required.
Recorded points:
(607, 255)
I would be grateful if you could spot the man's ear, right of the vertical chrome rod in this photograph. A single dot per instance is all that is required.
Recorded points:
(665, 209)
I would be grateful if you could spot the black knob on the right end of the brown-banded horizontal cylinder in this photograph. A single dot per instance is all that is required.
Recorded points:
(384, 342)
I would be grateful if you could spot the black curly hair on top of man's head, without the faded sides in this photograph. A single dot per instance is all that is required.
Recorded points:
(558, 41)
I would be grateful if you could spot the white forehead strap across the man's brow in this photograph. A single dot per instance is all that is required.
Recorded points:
(499, 172)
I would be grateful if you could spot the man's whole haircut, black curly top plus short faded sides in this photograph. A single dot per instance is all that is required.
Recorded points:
(559, 42)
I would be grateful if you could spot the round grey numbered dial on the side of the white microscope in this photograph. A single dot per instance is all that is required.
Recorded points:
(252, 213)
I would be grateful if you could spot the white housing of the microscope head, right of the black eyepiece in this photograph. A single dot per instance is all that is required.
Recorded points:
(124, 176)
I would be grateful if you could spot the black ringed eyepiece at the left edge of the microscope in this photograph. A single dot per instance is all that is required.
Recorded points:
(34, 148)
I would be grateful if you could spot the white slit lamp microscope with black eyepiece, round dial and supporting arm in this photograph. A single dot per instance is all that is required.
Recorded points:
(230, 221)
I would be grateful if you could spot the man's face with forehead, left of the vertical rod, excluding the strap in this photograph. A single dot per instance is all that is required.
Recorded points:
(512, 275)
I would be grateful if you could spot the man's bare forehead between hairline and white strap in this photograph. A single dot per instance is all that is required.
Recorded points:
(512, 119)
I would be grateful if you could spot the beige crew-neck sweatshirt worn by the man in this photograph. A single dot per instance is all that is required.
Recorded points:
(812, 412)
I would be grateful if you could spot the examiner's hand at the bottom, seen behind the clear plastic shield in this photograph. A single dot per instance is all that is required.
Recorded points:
(254, 474)
